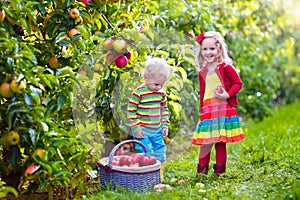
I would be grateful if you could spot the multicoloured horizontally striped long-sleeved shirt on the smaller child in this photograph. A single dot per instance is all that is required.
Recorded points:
(148, 109)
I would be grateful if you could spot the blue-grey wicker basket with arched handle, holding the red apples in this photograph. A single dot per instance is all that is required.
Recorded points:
(139, 179)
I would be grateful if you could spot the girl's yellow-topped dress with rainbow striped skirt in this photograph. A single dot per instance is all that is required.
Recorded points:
(219, 122)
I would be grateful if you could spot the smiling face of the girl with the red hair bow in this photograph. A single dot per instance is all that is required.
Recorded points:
(210, 51)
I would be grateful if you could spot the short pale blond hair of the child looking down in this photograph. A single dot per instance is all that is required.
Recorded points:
(157, 66)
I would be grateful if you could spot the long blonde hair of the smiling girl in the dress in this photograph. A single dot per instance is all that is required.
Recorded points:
(220, 42)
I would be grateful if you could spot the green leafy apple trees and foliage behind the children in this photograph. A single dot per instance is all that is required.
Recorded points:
(263, 40)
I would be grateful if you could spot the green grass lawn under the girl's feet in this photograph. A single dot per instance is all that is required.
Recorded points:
(263, 166)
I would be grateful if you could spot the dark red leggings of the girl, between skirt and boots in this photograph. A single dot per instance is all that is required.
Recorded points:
(205, 150)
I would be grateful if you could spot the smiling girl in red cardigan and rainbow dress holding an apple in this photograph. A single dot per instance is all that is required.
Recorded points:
(219, 84)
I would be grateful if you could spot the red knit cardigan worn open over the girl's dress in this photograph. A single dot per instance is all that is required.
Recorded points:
(229, 79)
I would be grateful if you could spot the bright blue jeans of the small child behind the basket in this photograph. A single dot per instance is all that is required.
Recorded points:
(154, 143)
